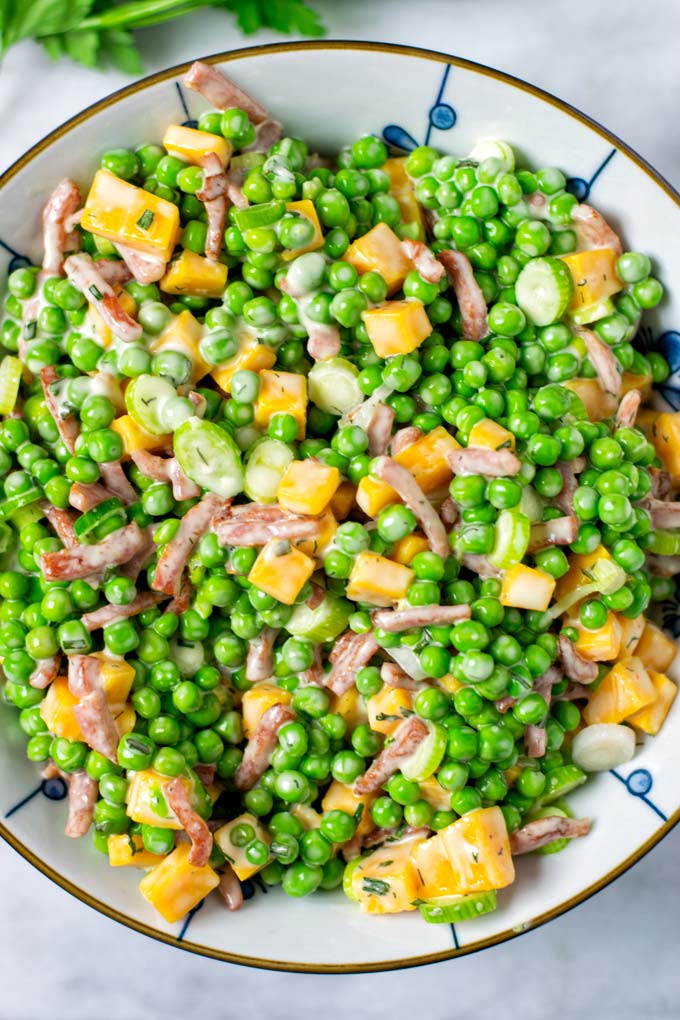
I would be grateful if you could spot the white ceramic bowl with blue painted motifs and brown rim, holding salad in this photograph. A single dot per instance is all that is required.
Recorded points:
(331, 93)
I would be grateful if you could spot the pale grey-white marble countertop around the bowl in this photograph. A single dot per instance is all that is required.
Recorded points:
(62, 960)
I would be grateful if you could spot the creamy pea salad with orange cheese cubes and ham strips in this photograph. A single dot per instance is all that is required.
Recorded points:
(333, 511)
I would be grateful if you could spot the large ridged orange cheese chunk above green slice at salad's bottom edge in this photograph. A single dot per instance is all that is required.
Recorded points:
(472, 855)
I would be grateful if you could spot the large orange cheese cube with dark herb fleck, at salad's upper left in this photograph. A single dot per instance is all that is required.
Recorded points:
(122, 213)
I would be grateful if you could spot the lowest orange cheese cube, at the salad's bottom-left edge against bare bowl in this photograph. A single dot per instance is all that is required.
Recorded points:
(175, 887)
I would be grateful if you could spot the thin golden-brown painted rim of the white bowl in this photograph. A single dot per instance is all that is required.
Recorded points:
(505, 78)
